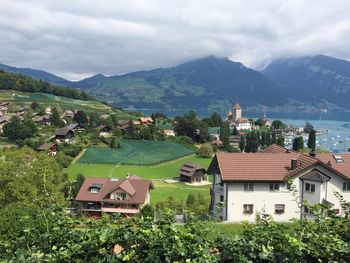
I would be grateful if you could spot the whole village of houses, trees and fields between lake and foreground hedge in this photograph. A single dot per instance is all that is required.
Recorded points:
(227, 182)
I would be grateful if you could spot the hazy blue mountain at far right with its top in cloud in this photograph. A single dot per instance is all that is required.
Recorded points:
(313, 79)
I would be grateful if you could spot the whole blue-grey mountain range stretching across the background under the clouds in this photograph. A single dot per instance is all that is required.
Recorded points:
(213, 83)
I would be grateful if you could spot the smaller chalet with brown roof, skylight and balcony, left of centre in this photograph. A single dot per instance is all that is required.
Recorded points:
(104, 195)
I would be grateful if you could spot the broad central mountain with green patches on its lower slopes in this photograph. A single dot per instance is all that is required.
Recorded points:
(208, 83)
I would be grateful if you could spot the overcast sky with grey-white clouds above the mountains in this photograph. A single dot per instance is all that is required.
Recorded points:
(75, 39)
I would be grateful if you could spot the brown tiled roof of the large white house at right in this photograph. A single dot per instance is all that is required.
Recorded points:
(274, 165)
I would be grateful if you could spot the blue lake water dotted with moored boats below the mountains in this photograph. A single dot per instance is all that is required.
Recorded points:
(337, 123)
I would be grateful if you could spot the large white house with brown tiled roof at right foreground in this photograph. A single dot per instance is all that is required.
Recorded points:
(246, 185)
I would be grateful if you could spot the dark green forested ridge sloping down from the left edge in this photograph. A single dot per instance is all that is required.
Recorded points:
(19, 82)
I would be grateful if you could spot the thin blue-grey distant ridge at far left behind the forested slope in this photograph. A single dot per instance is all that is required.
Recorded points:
(37, 74)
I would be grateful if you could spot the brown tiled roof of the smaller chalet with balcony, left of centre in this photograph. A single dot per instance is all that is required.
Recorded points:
(137, 188)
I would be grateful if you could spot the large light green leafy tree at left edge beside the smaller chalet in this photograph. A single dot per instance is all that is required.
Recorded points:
(35, 182)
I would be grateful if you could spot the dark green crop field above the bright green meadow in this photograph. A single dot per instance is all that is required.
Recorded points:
(136, 152)
